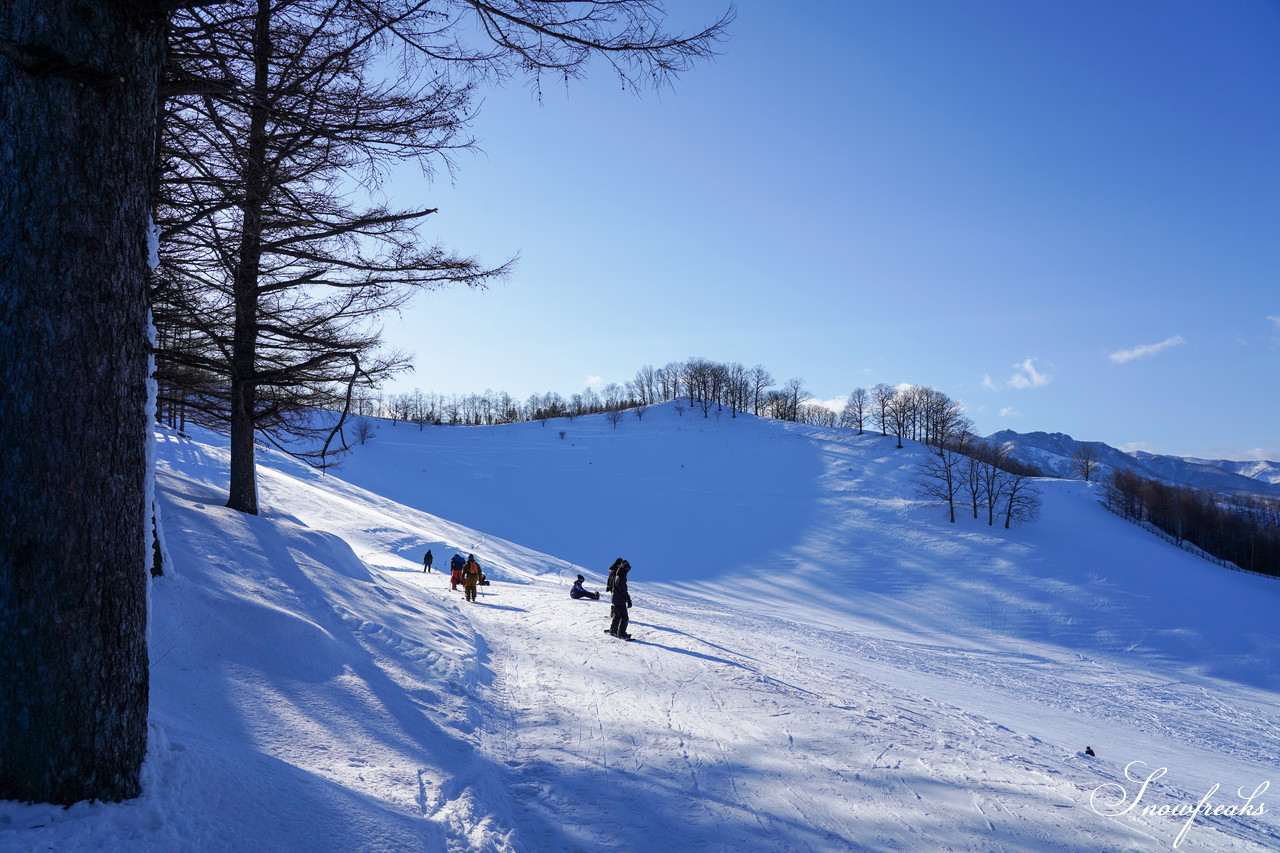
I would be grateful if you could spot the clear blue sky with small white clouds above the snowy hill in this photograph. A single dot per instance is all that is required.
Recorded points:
(1064, 215)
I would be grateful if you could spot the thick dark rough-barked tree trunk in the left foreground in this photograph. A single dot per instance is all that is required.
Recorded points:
(77, 110)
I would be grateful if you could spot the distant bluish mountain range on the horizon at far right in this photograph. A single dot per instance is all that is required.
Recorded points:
(1053, 453)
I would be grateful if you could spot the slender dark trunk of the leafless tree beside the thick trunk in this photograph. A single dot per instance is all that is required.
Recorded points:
(244, 475)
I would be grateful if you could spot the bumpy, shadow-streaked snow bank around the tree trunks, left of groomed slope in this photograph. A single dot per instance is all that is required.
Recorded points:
(301, 700)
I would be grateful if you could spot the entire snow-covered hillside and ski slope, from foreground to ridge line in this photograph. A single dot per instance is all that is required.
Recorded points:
(822, 662)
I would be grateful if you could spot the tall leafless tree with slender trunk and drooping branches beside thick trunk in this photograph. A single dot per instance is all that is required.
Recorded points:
(271, 273)
